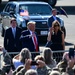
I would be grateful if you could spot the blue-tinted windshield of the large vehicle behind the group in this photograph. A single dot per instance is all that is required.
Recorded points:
(36, 9)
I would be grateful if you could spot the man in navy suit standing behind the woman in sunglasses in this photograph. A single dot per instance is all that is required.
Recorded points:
(53, 18)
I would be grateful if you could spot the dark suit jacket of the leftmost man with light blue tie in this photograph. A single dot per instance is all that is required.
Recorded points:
(12, 44)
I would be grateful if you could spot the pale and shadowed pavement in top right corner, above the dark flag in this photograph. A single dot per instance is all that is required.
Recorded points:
(67, 5)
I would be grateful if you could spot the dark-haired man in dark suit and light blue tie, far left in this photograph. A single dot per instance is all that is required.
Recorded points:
(12, 37)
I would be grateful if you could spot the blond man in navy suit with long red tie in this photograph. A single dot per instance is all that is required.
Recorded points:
(29, 38)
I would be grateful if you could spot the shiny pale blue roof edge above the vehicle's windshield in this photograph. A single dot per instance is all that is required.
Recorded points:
(28, 2)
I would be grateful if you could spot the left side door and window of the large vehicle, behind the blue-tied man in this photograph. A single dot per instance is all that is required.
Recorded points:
(6, 16)
